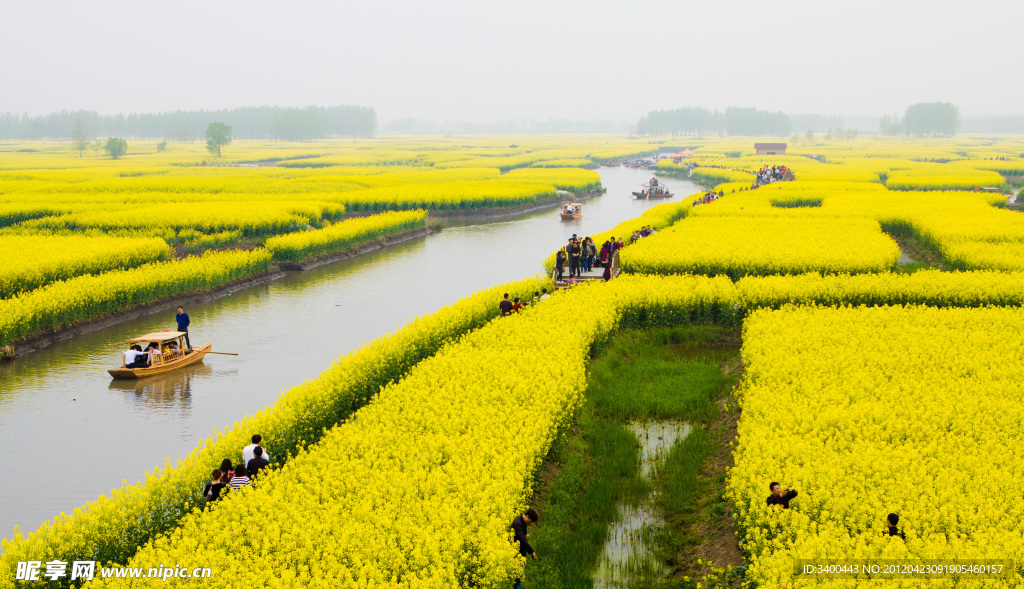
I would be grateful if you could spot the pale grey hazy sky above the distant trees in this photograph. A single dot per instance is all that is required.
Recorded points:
(486, 61)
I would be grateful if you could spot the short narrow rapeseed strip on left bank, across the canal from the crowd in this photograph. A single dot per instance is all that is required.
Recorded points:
(344, 235)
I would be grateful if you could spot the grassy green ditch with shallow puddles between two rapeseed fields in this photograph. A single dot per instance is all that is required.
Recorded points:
(633, 494)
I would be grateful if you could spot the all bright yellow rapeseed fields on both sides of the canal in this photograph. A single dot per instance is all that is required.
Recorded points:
(409, 457)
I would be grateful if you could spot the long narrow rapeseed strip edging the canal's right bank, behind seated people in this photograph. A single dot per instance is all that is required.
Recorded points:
(114, 527)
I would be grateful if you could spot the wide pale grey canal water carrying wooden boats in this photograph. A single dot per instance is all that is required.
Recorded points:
(70, 434)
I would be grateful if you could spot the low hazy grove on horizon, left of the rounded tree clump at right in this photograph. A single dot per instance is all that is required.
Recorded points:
(702, 121)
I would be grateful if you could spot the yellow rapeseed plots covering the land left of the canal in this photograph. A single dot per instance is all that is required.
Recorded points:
(108, 235)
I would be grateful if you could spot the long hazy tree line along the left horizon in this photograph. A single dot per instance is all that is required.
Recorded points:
(248, 123)
